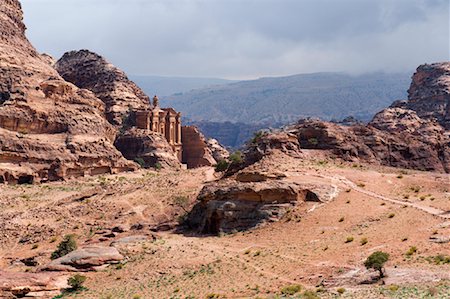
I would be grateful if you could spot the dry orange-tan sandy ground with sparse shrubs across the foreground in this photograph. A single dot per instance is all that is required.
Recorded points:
(391, 209)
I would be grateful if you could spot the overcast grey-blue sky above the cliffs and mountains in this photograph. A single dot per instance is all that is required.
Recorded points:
(240, 39)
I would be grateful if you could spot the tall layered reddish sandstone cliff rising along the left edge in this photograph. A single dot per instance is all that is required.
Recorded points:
(49, 128)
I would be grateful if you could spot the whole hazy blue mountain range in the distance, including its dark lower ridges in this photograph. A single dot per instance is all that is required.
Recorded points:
(231, 111)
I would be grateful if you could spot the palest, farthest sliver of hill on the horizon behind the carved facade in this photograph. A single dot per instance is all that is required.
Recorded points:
(163, 86)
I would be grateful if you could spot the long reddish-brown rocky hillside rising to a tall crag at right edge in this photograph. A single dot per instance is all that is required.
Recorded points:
(409, 134)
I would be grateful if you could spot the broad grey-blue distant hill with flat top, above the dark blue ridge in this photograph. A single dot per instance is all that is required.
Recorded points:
(285, 99)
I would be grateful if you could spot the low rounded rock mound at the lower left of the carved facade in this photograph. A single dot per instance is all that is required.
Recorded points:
(149, 149)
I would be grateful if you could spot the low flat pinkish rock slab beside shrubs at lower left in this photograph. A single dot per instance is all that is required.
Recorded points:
(86, 259)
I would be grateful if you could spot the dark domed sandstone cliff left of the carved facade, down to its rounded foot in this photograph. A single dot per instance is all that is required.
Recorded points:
(121, 97)
